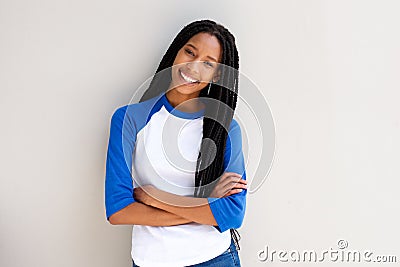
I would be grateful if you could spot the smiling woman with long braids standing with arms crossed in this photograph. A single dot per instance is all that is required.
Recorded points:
(183, 149)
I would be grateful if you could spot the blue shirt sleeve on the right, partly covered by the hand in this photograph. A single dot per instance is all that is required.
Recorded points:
(229, 211)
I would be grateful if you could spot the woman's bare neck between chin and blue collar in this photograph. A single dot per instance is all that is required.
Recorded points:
(184, 102)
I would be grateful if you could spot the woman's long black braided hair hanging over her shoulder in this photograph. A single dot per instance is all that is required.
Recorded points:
(209, 167)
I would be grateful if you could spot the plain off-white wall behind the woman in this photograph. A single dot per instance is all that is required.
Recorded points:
(329, 70)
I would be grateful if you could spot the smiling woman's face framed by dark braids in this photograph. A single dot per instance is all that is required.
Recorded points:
(196, 64)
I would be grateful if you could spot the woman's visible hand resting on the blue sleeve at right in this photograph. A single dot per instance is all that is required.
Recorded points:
(230, 183)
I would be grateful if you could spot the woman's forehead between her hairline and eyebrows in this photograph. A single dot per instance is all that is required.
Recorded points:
(206, 44)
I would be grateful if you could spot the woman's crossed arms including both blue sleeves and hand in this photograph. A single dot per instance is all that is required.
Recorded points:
(153, 207)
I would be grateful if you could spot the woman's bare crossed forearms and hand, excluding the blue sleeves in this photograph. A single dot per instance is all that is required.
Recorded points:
(155, 207)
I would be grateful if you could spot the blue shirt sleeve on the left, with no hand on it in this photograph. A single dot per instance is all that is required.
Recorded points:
(118, 180)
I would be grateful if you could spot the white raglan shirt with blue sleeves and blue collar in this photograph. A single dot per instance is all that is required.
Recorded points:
(153, 143)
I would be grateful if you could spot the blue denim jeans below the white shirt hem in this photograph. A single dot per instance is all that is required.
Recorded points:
(229, 258)
